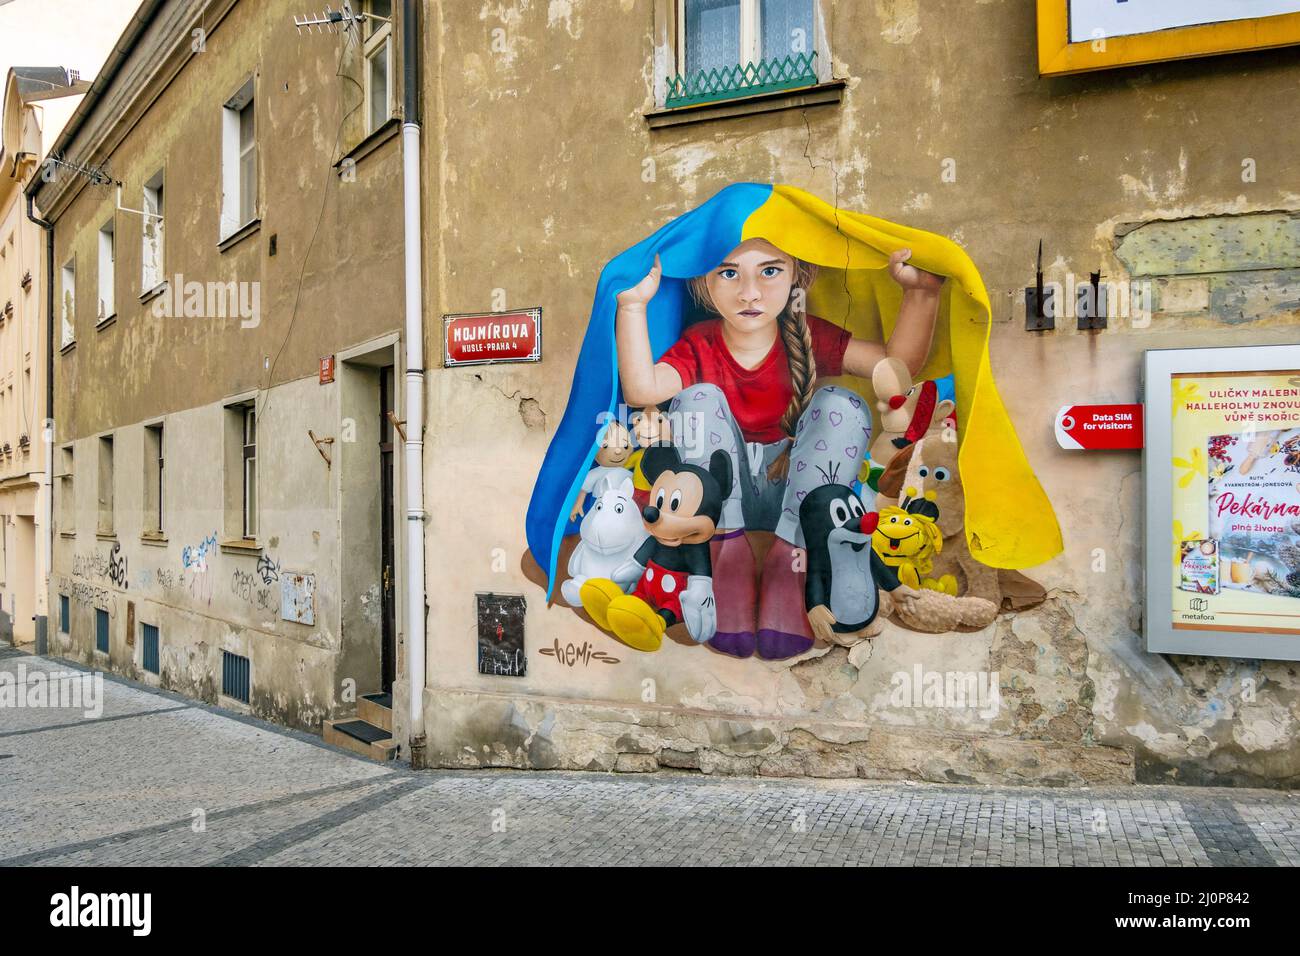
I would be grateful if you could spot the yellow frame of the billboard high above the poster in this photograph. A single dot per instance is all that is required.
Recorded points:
(1058, 55)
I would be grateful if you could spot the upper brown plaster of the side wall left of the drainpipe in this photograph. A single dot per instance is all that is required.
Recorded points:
(333, 280)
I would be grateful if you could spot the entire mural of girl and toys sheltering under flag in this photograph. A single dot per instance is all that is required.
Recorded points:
(787, 435)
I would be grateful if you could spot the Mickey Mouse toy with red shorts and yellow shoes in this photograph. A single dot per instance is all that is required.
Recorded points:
(673, 569)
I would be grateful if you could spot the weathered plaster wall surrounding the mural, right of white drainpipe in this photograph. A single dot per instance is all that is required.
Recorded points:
(545, 168)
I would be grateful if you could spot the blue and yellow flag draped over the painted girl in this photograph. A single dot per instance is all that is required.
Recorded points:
(1009, 520)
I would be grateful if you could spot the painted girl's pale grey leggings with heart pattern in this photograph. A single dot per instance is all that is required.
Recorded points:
(830, 444)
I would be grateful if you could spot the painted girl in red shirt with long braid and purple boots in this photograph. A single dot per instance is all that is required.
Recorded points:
(747, 383)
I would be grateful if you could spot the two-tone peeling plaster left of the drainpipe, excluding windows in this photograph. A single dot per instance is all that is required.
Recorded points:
(327, 266)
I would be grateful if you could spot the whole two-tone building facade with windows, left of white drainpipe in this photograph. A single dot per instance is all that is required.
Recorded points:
(228, 348)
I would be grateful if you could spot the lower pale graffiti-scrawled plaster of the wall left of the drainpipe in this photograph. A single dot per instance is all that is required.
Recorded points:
(202, 596)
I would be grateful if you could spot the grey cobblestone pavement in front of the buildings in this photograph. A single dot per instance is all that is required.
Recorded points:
(161, 780)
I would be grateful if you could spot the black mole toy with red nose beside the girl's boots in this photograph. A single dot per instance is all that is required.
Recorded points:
(842, 592)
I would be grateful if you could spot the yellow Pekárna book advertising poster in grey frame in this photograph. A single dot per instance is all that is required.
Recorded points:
(1236, 487)
